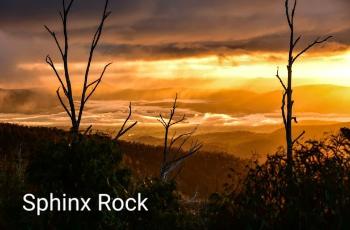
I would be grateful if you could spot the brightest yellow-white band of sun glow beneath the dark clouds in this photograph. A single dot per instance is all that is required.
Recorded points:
(316, 69)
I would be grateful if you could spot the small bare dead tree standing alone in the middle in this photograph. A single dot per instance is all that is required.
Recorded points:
(174, 154)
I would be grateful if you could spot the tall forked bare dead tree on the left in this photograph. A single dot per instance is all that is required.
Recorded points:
(88, 88)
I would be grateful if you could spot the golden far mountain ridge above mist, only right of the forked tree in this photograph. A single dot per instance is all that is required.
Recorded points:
(310, 98)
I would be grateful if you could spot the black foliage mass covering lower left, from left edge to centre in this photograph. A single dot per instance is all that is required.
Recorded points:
(83, 169)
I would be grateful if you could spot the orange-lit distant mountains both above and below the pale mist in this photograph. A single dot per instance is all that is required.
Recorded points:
(243, 142)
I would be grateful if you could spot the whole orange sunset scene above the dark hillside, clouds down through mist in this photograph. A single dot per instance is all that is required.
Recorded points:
(159, 47)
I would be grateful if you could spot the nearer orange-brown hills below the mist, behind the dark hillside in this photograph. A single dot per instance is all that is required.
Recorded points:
(244, 144)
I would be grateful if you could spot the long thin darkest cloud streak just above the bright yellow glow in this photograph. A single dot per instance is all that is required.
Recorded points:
(271, 42)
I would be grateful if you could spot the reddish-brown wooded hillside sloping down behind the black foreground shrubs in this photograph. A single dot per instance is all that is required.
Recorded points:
(207, 170)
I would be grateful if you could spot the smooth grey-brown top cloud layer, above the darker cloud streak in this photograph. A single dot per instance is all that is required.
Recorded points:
(152, 21)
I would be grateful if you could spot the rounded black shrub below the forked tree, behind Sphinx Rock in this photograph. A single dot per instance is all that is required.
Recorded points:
(84, 169)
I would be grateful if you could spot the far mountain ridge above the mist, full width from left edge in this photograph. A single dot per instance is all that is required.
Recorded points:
(310, 98)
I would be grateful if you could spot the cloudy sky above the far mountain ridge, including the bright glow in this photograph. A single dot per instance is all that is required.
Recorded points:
(163, 43)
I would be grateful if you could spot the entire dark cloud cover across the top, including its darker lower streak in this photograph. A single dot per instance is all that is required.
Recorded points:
(165, 28)
